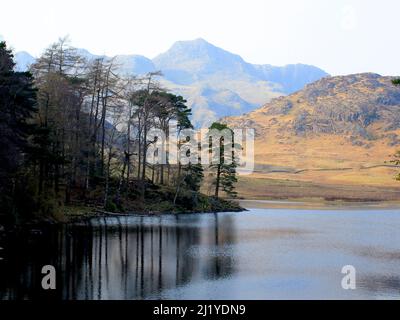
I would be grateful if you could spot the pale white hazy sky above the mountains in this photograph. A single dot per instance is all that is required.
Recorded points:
(339, 36)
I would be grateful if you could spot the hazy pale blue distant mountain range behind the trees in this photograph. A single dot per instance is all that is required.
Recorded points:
(237, 86)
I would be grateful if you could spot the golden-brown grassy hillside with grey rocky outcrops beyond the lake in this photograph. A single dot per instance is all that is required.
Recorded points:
(334, 139)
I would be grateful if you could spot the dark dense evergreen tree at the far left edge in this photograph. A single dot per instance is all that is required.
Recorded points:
(17, 107)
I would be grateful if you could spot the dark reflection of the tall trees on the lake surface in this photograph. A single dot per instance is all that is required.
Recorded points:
(118, 257)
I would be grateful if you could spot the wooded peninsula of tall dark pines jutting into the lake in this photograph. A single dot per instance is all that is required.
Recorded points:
(74, 142)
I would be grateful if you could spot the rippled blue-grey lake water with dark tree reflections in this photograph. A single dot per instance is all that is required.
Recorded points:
(259, 254)
